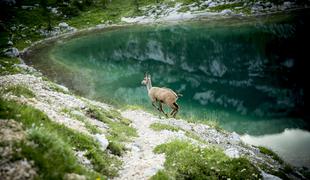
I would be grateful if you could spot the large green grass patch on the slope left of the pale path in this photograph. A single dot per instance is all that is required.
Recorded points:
(53, 155)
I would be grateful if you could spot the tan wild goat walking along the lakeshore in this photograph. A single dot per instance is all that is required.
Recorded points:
(161, 95)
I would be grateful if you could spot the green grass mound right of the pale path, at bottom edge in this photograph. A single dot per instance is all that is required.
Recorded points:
(187, 161)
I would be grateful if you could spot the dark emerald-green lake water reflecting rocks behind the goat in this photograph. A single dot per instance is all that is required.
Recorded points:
(248, 74)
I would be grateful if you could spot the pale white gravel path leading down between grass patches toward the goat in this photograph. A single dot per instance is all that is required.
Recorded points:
(140, 162)
